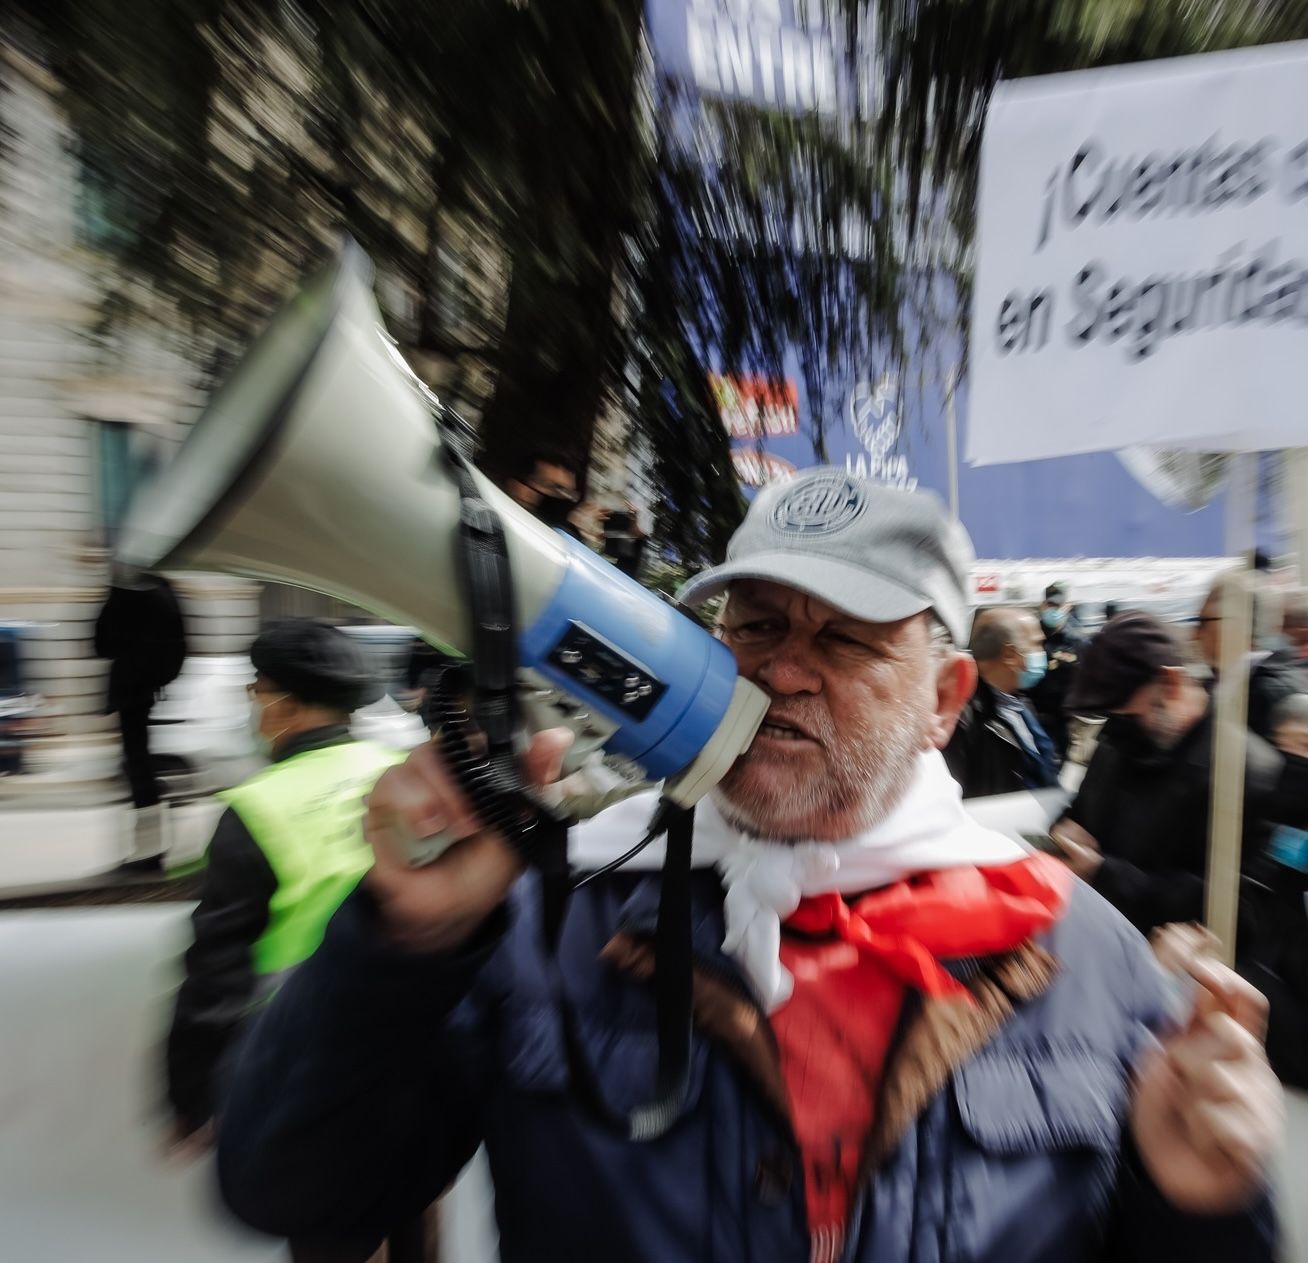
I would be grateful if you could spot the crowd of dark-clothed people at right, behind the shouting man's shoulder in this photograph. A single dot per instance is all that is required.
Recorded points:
(1137, 830)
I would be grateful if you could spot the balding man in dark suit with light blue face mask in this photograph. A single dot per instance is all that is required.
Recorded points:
(1000, 746)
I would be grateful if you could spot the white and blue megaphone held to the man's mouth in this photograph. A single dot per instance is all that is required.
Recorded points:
(320, 465)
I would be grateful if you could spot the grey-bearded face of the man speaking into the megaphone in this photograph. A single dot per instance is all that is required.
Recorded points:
(852, 707)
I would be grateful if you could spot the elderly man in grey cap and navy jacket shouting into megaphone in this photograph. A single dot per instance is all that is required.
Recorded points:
(915, 1043)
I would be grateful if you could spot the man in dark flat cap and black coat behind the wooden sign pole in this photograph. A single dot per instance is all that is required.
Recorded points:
(1139, 830)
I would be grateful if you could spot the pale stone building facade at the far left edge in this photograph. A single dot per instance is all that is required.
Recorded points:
(78, 420)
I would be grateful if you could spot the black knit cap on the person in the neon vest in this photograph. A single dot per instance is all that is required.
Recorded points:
(316, 664)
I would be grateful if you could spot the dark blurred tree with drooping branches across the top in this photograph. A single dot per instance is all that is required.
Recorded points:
(559, 232)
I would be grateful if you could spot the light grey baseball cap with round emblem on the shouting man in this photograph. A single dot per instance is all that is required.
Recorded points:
(876, 552)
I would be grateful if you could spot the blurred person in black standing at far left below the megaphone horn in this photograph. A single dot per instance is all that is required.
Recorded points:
(142, 633)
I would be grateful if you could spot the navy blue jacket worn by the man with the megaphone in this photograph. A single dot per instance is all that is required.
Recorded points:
(373, 1075)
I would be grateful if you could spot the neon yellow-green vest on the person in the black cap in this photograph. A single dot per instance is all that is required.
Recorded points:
(307, 818)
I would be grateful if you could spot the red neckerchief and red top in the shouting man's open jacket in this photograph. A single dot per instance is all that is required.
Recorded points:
(852, 964)
